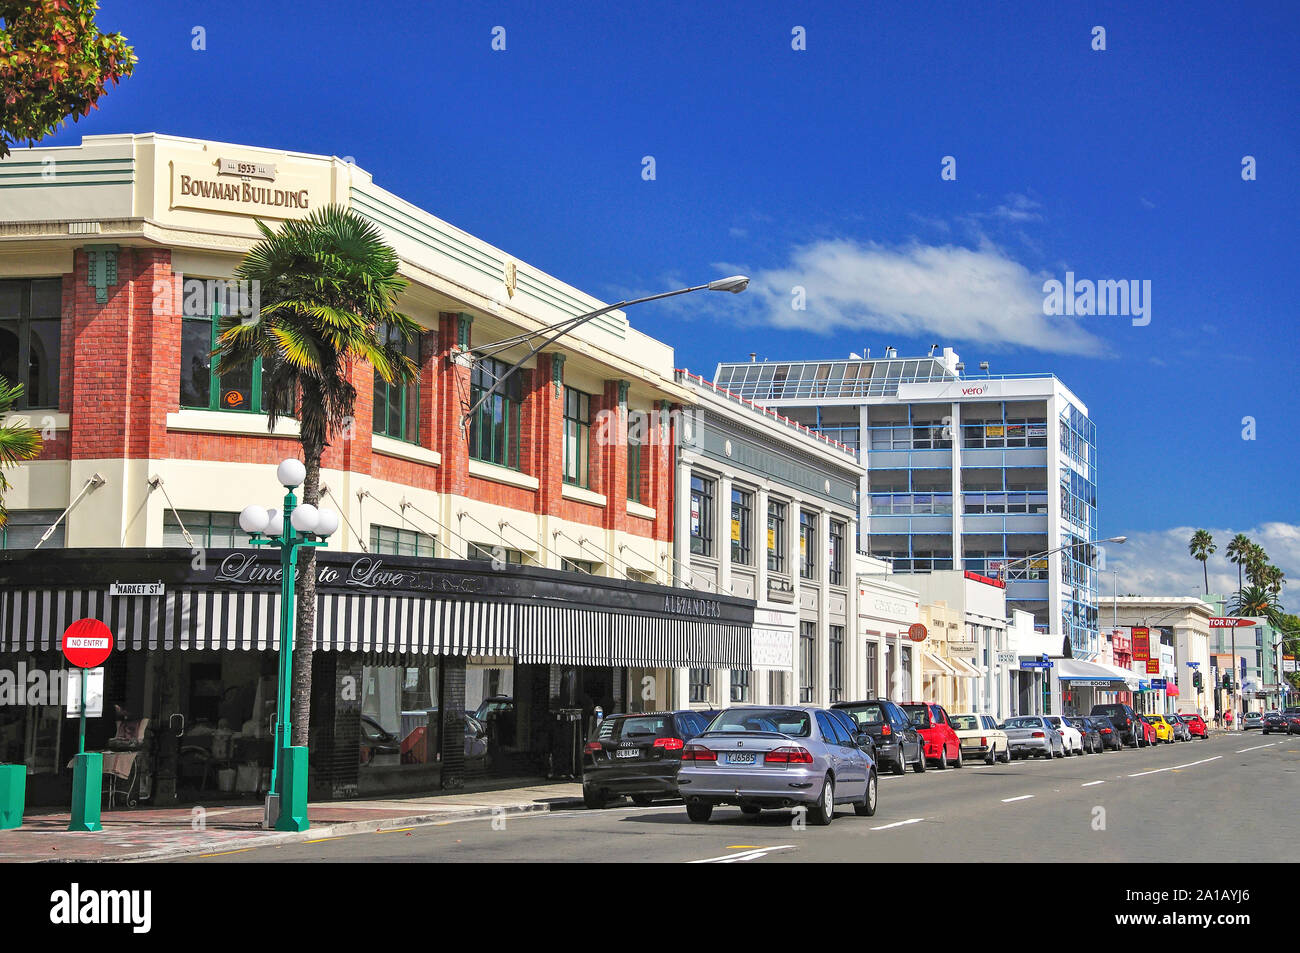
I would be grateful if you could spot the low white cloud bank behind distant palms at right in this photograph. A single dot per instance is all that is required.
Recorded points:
(1158, 564)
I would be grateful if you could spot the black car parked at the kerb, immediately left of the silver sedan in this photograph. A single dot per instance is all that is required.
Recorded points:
(638, 756)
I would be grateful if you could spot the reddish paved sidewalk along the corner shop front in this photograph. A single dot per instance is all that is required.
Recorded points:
(153, 834)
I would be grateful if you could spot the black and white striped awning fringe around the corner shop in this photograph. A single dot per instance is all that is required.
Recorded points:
(193, 620)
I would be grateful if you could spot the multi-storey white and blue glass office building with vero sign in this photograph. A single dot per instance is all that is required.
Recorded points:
(978, 473)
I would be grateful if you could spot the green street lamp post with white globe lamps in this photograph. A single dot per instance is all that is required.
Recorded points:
(291, 530)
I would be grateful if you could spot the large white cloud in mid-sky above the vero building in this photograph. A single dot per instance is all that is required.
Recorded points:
(978, 296)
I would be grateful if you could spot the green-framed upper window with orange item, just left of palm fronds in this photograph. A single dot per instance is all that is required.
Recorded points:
(201, 385)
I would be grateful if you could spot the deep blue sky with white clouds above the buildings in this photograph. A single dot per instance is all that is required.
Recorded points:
(822, 167)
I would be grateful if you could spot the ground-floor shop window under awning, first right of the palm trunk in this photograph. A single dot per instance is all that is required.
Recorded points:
(400, 717)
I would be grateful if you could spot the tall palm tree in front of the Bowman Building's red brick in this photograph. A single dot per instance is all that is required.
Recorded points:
(328, 288)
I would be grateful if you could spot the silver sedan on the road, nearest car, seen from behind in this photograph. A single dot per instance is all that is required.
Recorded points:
(777, 757)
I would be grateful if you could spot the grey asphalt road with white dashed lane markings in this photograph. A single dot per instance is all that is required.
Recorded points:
(1228, 799)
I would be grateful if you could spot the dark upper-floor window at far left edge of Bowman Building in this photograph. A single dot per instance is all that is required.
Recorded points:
(31, 313)
